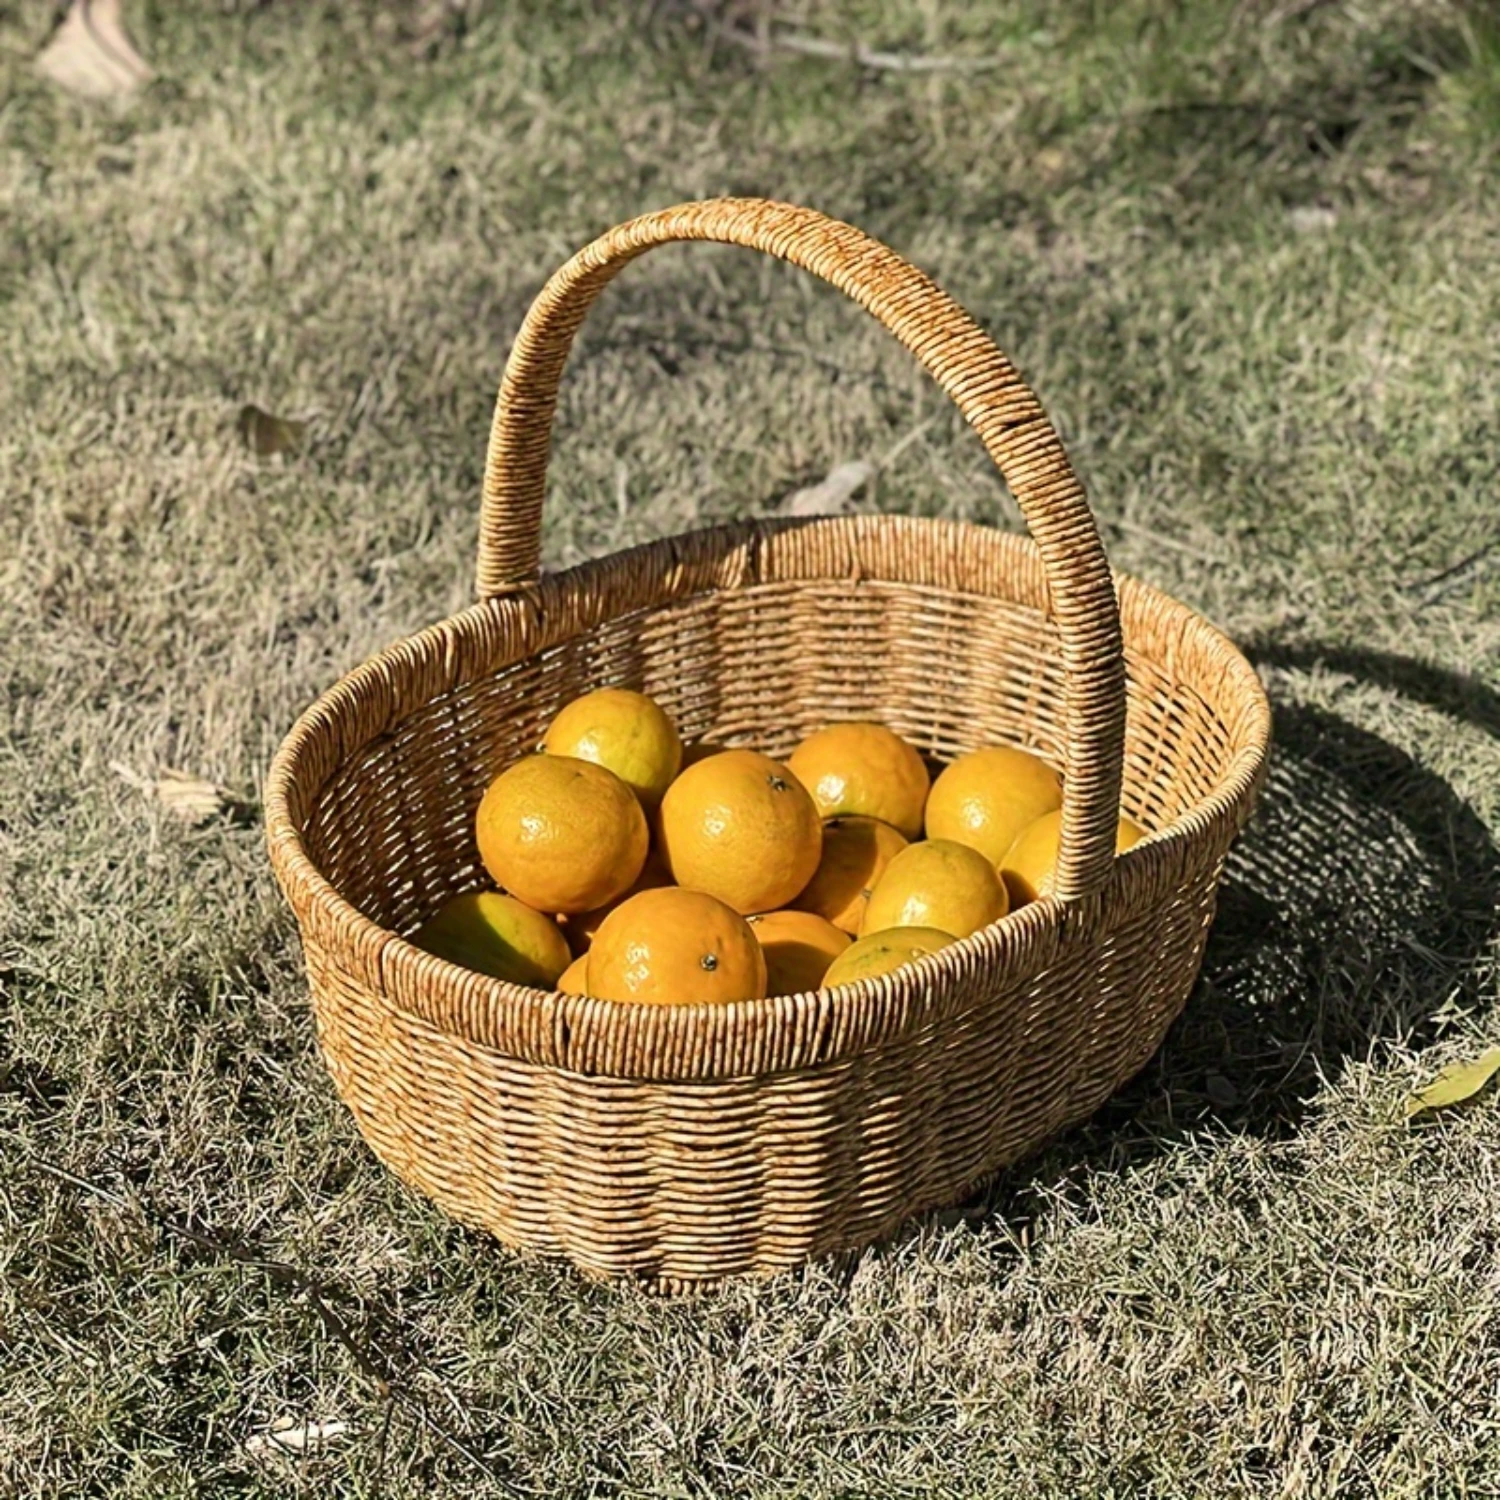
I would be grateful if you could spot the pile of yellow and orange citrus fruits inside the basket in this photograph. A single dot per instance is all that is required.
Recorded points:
(631, 869)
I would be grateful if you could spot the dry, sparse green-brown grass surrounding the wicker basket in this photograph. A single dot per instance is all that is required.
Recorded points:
(1246, 253)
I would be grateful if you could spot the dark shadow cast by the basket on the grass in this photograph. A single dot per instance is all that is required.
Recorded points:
(1355, 908)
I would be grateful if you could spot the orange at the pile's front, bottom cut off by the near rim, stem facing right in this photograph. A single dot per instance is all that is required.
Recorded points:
(676, 947)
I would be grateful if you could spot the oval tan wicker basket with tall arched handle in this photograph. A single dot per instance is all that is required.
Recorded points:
(692, 1142)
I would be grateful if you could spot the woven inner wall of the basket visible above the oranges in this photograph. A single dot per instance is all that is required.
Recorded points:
(763, 665)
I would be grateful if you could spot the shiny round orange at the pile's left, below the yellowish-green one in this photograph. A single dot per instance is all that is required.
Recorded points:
(562, 835)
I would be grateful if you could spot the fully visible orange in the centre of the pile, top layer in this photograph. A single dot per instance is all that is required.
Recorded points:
(740, 827)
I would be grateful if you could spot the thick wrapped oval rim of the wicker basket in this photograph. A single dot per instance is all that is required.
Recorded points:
(551, 1030)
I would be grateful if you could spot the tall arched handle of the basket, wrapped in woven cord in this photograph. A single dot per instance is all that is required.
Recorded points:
(967, 365)
